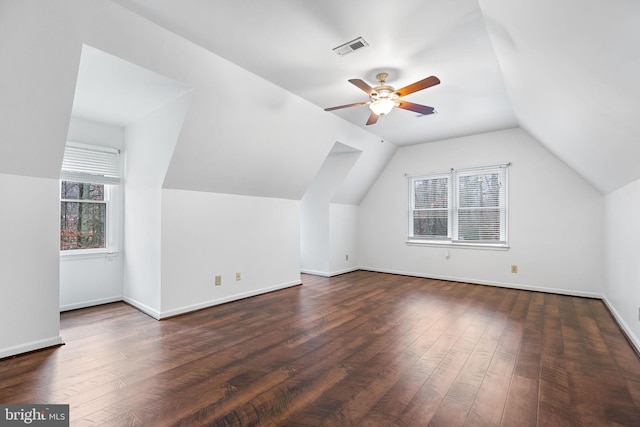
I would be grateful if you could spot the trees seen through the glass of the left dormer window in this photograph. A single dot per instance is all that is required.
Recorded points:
(83, 216)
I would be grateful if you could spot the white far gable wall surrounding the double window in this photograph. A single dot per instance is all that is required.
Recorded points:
(556, 219)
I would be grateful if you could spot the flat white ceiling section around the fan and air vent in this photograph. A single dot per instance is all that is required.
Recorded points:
(290, 42)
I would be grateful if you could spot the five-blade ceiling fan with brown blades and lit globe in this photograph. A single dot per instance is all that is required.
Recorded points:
(383, 98)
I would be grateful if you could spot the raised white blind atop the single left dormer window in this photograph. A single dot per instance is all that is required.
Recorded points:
(90, 164)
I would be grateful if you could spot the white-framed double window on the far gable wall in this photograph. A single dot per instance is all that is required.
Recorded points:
(464, 207)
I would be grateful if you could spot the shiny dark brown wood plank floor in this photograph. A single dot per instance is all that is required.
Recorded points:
(364, 349)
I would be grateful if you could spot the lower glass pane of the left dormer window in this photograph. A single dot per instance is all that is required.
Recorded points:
(82, 225)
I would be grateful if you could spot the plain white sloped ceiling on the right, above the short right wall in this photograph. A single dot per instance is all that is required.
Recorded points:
(572, 70)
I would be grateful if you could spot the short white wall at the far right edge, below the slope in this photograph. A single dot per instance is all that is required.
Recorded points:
(623, 269)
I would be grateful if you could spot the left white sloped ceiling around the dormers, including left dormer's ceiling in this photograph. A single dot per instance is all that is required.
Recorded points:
(241, 134)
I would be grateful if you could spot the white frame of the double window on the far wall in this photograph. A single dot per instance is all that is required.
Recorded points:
(453, 209)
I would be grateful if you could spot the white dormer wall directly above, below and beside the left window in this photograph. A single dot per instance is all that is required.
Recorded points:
(87, 280)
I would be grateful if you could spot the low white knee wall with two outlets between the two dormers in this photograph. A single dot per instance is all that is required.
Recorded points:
(208, 234)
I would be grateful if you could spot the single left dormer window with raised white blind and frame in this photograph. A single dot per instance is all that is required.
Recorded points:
(89, 180)
